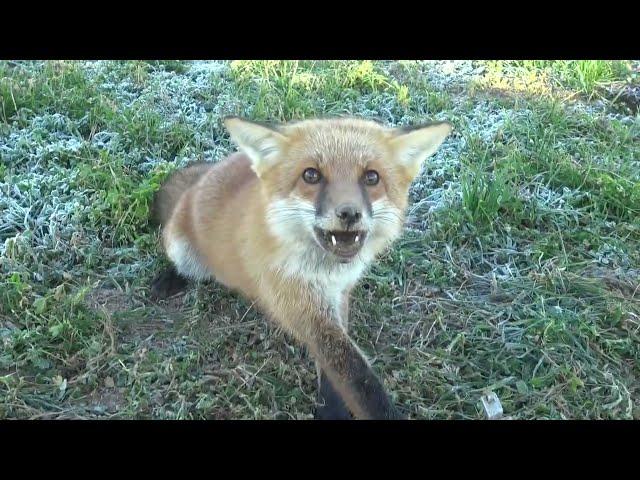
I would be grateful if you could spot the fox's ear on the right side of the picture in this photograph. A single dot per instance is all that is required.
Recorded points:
(415, 144)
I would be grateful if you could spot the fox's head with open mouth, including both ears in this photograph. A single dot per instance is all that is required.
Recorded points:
(338, 185)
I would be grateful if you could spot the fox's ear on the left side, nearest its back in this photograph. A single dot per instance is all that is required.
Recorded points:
(261, 143)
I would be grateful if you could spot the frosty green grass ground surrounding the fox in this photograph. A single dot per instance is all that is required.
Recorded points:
(518, 273)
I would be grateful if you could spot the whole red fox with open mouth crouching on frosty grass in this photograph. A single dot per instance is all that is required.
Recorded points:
(292, 221)
